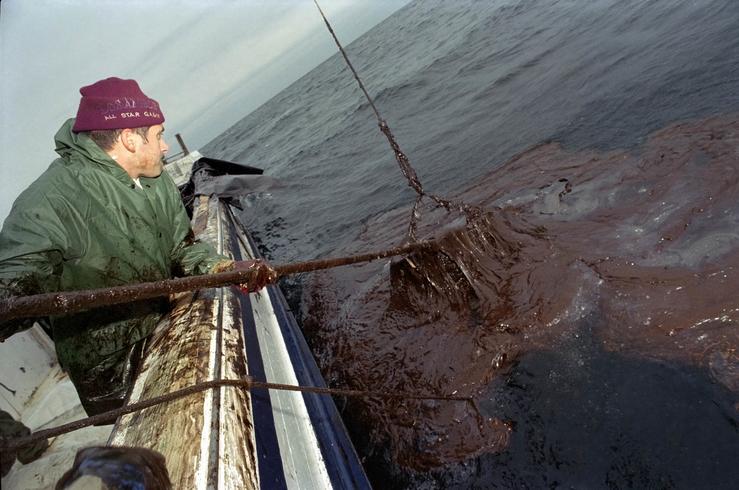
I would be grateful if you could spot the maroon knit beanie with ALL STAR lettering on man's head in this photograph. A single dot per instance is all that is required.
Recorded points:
(115, 103)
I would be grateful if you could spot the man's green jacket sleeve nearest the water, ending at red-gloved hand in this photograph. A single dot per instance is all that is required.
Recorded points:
(190, 256)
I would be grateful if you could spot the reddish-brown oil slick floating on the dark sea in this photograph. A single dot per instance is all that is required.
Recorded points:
(635, 251)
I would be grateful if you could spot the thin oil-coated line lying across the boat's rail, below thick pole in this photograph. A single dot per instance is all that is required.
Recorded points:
(9, 444)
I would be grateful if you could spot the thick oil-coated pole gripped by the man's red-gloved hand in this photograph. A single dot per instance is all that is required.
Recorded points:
(61, 303)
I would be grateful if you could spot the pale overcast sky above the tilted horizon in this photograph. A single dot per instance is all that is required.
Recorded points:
(207, 62)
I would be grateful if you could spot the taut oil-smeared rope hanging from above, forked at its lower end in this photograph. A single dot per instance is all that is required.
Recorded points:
(403, 162)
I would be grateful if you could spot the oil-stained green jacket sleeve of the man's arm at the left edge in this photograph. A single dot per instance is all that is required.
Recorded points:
(33, 241)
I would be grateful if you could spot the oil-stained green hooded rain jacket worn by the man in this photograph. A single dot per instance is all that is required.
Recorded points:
(84, 224)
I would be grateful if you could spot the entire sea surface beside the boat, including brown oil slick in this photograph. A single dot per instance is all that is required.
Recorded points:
(593, 313)
